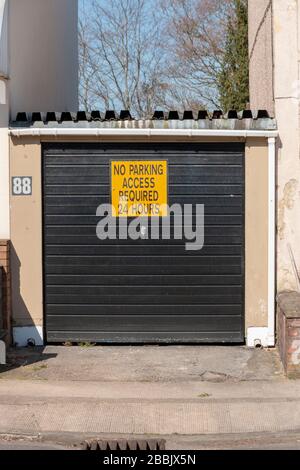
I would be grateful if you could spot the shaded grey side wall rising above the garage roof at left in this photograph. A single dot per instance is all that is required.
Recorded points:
(43, 52)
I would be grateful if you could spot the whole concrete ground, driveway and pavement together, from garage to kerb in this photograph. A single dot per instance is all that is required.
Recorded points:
(170, 391)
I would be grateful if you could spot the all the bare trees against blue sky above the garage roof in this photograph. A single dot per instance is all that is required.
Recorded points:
(147, 54)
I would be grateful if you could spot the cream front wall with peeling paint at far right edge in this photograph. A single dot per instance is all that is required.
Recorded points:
(286, 38)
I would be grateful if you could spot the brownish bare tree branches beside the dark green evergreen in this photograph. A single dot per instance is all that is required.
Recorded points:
(196, 41)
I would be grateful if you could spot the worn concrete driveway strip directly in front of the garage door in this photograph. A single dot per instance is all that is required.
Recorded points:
(143, 364)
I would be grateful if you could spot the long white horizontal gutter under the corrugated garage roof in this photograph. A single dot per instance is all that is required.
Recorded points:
(120, 132)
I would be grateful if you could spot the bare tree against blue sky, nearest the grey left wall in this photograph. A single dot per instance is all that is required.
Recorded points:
(121, 58)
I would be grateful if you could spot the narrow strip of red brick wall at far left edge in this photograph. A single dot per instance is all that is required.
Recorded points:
(6, 287)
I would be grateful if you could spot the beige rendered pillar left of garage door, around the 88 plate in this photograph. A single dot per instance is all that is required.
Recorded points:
(26, 240)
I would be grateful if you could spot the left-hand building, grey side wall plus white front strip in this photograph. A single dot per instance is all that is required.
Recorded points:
(39, 54)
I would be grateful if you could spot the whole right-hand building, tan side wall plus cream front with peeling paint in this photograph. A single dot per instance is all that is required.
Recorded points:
(274, 43)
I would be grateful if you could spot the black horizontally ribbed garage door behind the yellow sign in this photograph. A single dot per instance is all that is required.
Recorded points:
(145, 290)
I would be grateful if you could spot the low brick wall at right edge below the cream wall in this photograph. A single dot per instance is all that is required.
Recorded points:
(289, 332)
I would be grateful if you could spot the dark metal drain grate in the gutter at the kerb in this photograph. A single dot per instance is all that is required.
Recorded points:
(101, 445)
